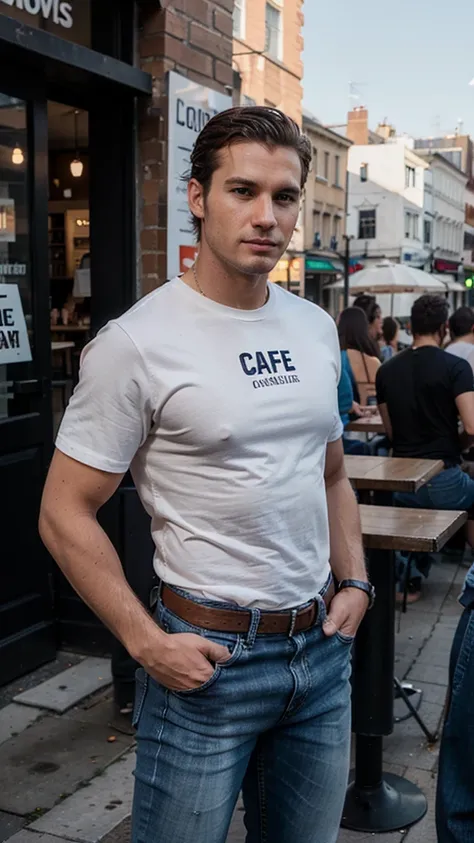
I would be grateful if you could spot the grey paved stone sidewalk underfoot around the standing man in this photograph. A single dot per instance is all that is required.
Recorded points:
(67, 776)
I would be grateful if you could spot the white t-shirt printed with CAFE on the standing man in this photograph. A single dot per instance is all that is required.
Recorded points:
(223, 416)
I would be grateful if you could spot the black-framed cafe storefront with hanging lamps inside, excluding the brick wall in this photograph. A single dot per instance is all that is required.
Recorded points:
(69, 88)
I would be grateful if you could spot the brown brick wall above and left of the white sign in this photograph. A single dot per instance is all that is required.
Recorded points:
(194, 38)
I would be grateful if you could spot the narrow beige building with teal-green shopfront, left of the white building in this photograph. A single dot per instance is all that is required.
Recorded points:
(324, 208)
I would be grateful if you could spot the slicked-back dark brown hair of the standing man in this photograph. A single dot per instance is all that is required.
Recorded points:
(259, 124)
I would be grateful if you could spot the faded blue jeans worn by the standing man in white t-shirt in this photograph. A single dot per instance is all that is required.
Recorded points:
(273, 721)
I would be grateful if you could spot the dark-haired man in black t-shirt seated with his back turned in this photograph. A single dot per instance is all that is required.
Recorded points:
(421, 392)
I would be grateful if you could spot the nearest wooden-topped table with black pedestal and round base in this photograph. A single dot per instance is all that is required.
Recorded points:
(377, 802)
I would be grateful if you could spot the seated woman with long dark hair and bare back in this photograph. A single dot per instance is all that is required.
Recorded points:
(355, 340)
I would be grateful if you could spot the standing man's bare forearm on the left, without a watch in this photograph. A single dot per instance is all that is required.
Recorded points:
(89, 561)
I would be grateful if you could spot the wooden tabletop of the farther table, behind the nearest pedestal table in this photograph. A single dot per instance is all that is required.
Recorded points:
(390, 474)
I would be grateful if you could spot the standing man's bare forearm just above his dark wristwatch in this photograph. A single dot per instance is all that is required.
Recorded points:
(347, 555)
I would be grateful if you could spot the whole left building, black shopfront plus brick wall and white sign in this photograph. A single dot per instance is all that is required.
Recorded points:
(89, 112)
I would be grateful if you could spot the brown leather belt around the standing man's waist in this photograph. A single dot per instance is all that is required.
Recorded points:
(231, 620)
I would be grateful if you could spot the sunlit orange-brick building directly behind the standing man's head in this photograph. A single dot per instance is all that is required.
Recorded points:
(268, 70)
